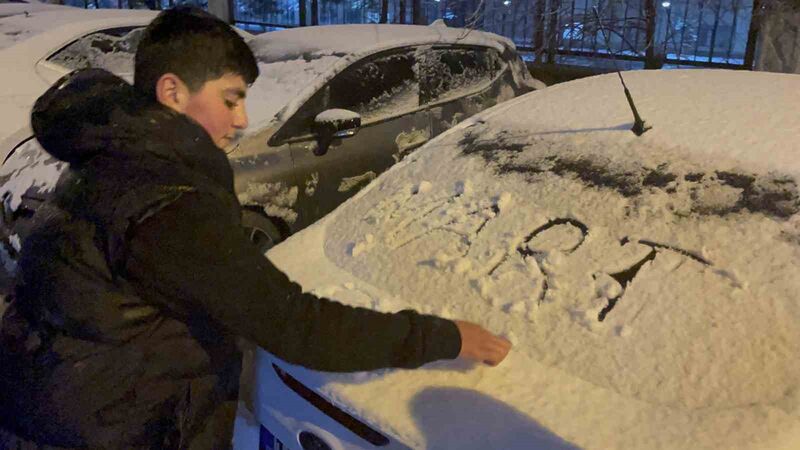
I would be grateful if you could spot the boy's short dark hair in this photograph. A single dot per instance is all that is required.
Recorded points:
(195, 46)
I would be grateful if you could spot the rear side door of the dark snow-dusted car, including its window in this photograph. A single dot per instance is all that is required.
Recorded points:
(459, 81)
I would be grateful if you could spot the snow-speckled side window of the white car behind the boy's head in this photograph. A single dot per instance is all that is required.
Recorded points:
(111, 49)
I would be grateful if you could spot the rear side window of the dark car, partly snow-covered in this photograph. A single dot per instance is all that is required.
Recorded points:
(449, 72)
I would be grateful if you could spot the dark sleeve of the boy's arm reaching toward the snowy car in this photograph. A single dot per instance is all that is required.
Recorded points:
(199, 262)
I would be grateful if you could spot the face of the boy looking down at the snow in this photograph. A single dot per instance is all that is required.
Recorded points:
(219, 107)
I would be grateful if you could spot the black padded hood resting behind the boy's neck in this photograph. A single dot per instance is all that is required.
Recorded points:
(93, 113)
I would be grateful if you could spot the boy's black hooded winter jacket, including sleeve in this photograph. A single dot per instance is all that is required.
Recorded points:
(138, 277)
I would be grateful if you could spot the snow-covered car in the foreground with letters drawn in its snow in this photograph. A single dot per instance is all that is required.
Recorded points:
(649, 284)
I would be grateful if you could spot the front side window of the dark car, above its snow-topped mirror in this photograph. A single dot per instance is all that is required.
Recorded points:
(377, 87)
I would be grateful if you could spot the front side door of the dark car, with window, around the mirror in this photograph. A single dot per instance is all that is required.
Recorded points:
(384, 90)
